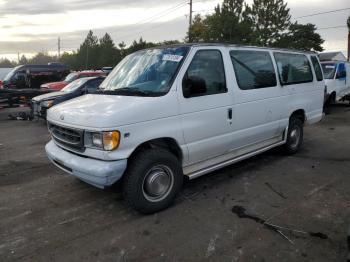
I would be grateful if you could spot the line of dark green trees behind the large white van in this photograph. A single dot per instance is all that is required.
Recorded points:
(264, 23)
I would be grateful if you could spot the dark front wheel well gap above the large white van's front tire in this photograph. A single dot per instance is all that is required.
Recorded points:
(165, 143)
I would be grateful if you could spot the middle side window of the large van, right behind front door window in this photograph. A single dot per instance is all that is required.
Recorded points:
(253, 69)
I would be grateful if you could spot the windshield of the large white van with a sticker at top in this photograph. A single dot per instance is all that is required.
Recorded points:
(145, 73)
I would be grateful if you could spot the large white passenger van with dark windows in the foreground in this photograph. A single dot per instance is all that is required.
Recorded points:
(185, 110)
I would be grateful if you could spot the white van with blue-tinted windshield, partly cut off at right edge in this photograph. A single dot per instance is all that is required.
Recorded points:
(337, 79)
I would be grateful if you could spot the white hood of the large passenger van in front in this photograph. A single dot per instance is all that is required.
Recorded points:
(109, 111)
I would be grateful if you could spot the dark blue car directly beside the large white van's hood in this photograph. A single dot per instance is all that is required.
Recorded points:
(82, 86)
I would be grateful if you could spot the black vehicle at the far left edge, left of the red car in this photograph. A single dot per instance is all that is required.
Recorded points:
(23, 82)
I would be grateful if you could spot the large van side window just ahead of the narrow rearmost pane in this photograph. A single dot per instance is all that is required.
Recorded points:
(293, 68)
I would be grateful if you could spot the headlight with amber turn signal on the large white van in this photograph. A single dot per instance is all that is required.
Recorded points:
(103, 140)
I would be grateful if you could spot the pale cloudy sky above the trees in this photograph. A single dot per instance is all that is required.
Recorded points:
(32, 26)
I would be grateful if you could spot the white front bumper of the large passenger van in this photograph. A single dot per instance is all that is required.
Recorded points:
(98, 173)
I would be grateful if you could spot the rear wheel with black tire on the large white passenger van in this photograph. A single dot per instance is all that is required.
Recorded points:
(294, 136)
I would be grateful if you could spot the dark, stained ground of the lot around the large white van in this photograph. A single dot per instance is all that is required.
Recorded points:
(47, 215)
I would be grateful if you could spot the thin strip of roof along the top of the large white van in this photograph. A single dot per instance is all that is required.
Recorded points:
(235, 45)
